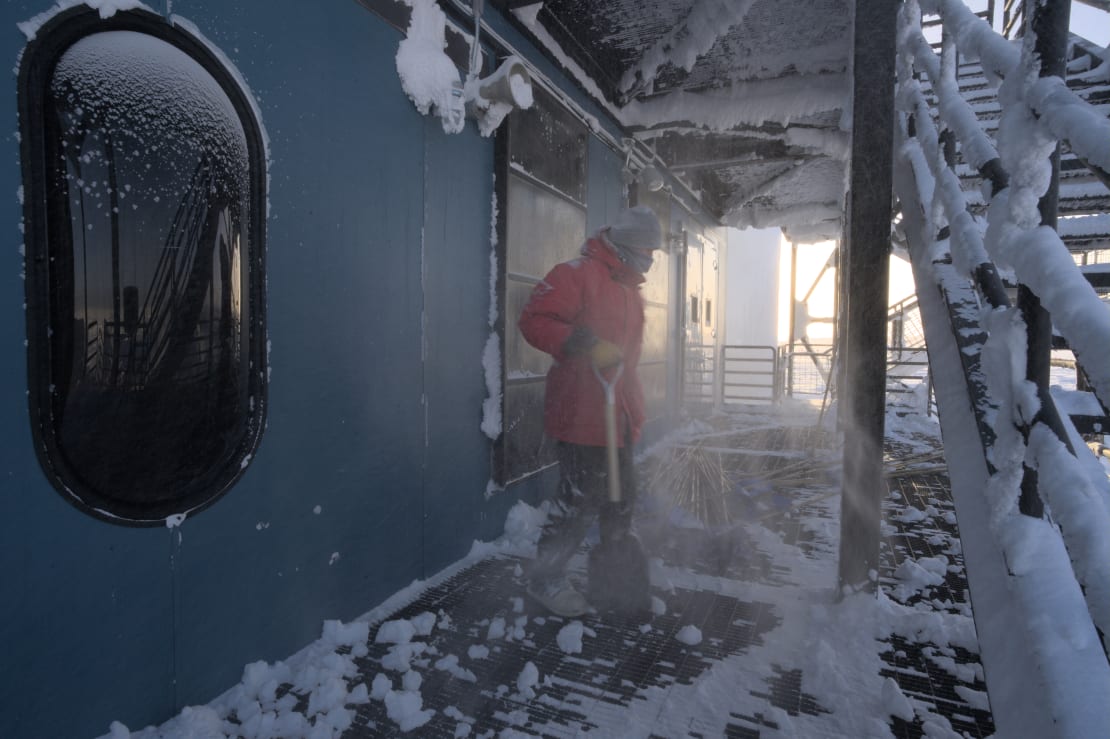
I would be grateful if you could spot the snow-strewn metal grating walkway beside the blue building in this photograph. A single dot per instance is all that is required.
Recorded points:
(748, 639)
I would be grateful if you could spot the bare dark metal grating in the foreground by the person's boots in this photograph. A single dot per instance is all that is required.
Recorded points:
(582, 692)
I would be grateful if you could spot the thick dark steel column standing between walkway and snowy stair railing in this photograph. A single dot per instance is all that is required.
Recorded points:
(869, 252)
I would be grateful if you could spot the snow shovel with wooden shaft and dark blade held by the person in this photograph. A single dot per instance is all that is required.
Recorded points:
(618, 568)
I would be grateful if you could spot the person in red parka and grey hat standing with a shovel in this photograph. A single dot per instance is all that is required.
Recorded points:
(588, 315)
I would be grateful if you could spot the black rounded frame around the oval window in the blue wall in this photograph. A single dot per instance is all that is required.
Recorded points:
(37, 68)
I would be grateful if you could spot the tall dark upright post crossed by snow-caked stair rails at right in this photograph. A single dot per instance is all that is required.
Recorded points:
(1048, 21)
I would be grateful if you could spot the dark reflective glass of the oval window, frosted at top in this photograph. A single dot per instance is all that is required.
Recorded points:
(153, 330)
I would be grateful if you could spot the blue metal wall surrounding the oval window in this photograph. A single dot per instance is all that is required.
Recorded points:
(378, 278)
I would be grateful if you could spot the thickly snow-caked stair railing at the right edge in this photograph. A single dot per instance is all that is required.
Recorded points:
(961, 252)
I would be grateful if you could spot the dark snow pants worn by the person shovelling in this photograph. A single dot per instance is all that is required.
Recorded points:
(583, 497)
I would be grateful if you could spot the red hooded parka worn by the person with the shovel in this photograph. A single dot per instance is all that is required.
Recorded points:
(600, 293)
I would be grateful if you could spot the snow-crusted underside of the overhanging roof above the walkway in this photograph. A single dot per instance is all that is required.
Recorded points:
(743, 99)
